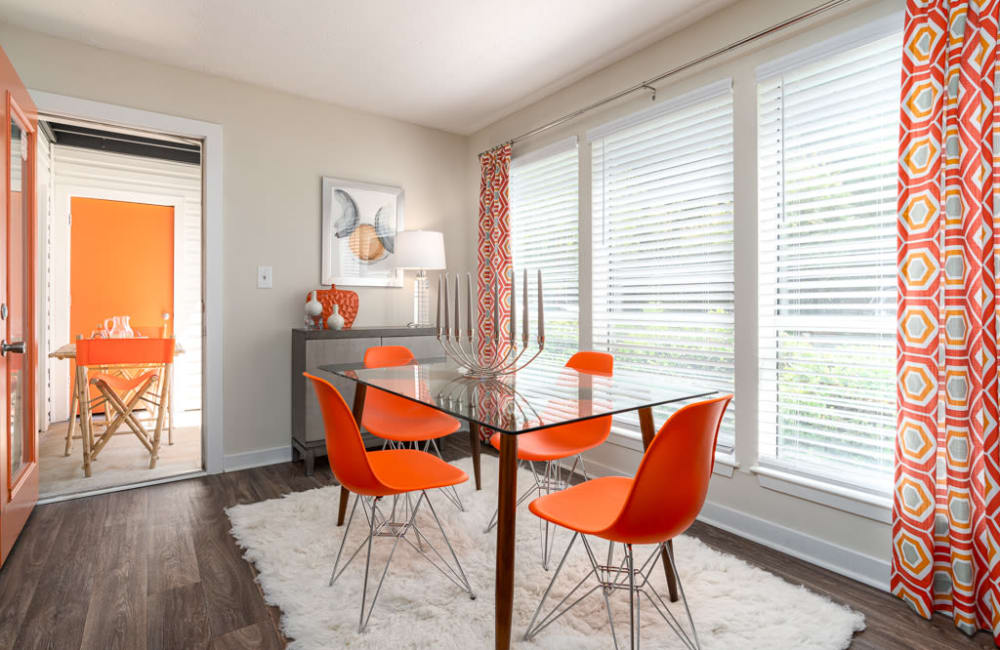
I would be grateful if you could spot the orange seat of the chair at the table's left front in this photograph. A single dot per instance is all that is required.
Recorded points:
(409, 470)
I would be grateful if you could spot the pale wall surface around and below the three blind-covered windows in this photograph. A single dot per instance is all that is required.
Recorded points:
(833, 536)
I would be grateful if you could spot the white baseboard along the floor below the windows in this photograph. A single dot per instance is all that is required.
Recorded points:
(866, 569)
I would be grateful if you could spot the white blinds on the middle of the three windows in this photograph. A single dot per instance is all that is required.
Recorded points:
(662, 192)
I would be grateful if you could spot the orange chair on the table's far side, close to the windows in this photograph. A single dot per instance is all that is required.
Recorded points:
(549, 446)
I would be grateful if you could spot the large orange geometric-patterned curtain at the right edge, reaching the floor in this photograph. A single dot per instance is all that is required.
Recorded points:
(946, 505)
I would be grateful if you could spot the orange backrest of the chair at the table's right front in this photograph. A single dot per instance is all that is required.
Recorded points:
(672, 480)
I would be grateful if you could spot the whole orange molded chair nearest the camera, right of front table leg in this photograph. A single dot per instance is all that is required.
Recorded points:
(660, 503)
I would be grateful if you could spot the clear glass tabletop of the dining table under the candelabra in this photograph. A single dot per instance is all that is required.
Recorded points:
(539, 396)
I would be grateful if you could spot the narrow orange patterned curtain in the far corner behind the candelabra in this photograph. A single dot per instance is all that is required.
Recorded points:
(494, 258)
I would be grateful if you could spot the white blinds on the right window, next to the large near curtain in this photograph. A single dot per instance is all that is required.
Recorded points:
(827, 133)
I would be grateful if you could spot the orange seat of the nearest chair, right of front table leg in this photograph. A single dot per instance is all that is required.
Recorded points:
(589, 508)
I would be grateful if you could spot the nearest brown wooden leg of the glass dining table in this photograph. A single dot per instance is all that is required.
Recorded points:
(506, 511)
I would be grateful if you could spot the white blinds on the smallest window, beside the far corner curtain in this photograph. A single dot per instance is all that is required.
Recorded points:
(544, 222)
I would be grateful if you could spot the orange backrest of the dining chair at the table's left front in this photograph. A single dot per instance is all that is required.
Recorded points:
(344, 447)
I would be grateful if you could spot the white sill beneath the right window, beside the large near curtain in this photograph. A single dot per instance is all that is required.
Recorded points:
(857, 502)
